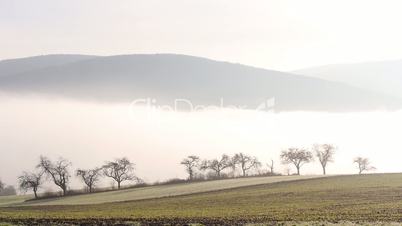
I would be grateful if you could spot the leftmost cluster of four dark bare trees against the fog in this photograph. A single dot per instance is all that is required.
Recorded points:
(59, 173)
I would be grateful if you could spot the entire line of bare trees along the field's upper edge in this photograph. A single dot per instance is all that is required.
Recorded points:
(121, 170)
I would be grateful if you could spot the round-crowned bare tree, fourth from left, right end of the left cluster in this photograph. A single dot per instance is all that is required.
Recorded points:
(120, 170)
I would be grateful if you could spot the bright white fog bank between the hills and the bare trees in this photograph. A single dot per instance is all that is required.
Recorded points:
(89, 133)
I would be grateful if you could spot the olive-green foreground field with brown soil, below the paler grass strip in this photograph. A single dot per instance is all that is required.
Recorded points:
(357, 198)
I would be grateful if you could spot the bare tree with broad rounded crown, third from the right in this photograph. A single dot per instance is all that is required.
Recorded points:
(297, 156)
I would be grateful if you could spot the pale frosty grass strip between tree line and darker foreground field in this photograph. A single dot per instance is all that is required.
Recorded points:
(150, 192)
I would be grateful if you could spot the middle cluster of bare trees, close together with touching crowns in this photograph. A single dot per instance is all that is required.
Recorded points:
(240, 161)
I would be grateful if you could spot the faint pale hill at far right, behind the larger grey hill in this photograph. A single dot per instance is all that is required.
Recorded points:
(383, 77)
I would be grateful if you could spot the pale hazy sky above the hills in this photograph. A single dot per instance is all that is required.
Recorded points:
(281, 34)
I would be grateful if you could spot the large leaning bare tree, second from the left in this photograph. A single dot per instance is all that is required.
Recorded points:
(58, 171)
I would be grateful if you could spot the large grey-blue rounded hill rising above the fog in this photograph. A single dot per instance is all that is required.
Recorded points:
(165, 77)
